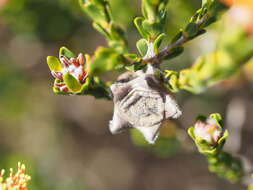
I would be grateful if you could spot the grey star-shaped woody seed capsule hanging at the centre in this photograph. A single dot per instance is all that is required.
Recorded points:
(141, 102)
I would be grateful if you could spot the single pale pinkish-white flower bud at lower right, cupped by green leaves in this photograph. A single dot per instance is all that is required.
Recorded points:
(208, 130)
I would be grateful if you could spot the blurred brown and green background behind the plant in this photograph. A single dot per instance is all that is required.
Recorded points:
(64, 140)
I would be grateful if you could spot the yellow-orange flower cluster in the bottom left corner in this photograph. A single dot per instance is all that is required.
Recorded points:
(17, 181)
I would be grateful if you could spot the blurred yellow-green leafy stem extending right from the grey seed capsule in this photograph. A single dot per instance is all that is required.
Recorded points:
(214, 67)
